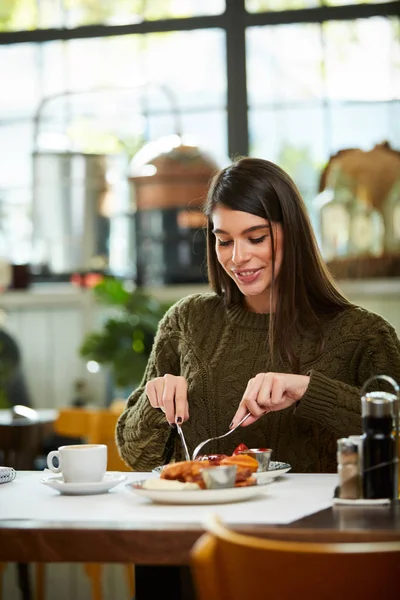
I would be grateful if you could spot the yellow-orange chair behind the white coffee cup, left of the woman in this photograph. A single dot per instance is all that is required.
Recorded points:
(95, 426)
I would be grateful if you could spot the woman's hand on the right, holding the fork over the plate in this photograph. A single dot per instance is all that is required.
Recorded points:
(268, 392)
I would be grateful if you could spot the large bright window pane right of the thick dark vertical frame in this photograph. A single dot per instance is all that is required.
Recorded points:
(338, 90)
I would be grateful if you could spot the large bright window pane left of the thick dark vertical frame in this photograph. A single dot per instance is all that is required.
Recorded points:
(128, 115)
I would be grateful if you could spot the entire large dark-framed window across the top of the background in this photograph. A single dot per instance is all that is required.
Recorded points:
(289, 80)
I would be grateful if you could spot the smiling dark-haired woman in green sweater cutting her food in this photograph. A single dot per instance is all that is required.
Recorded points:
(276, 338)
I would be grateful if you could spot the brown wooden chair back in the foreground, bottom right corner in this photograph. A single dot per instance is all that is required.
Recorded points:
(231, 566)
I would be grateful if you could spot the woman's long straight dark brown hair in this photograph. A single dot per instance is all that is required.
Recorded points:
(305, 289)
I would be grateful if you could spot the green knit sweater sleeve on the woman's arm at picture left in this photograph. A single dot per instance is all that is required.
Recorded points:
(144, 438)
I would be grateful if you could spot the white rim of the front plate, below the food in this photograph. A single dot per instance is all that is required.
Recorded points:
(197, 496)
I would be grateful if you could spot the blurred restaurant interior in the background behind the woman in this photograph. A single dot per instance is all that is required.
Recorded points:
(113, 118)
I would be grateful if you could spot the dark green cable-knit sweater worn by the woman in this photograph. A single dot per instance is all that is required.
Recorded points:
(219, 350)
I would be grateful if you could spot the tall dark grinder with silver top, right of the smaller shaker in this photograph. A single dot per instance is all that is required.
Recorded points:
(380, 440)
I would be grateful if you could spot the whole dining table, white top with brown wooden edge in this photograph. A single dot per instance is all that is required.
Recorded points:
(37, 524)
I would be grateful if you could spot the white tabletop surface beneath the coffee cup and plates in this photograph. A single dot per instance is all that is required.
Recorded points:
(287, 499)
